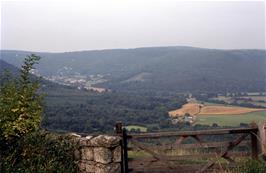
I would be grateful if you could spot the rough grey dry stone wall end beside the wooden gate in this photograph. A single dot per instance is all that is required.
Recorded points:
(100, 154)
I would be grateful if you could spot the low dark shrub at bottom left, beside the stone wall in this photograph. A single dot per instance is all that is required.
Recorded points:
(39, 152)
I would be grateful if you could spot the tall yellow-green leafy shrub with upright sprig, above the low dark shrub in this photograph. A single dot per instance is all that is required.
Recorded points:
(20, 103)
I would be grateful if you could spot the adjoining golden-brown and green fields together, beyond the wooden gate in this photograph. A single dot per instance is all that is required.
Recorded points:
(222, 115)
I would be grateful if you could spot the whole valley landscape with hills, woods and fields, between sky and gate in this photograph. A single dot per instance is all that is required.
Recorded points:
(89, 91)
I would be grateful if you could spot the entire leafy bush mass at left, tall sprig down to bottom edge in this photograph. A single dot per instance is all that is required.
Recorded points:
(24, 148)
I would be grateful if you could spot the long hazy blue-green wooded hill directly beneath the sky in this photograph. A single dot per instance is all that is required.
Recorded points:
(177, 69)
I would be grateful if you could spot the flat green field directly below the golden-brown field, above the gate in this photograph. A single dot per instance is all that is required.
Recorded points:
(231, 120)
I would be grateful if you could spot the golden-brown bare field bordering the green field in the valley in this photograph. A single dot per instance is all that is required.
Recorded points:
(200, 109)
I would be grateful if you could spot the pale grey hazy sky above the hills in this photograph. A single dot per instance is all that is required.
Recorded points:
(58, 26)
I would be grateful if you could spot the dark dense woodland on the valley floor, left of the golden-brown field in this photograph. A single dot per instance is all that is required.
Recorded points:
(69, 109)
